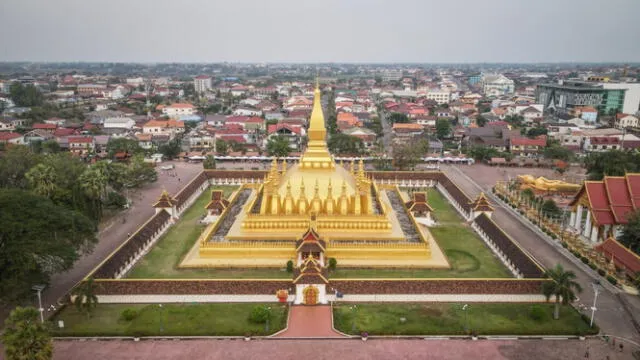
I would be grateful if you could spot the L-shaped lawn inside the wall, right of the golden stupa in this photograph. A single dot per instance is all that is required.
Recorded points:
(466, 252)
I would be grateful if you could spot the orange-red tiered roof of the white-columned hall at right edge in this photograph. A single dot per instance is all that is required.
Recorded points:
(612, 199)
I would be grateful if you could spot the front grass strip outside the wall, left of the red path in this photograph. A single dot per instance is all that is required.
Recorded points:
(176, 319)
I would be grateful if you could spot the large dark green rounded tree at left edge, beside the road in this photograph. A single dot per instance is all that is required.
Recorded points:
(37, 239)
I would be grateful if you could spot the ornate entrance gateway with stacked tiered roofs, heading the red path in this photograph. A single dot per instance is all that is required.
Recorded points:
(310, 276)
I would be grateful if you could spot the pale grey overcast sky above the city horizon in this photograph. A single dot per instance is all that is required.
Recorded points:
(320, 30)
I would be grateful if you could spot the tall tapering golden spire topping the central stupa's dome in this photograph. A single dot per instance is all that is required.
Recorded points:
(317, 156)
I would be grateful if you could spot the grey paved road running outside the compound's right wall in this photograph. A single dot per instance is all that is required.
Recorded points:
(610, 316)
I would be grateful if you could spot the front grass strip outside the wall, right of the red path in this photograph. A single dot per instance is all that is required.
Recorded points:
(449, 319)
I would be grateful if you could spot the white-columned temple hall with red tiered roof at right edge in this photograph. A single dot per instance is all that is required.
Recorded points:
(600, 208)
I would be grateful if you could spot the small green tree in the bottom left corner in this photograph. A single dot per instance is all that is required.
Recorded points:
(25, 338)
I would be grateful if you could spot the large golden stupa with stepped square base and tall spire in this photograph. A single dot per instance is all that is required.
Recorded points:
(345, 206)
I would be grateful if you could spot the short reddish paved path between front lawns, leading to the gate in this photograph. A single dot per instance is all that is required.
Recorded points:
(310, 321)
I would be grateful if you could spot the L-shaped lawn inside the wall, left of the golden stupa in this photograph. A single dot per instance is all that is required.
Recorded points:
(162, 261)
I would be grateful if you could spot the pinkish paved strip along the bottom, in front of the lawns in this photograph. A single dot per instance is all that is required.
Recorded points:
(337, 349)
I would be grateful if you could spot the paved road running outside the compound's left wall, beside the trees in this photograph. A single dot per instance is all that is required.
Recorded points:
(114, 233)
